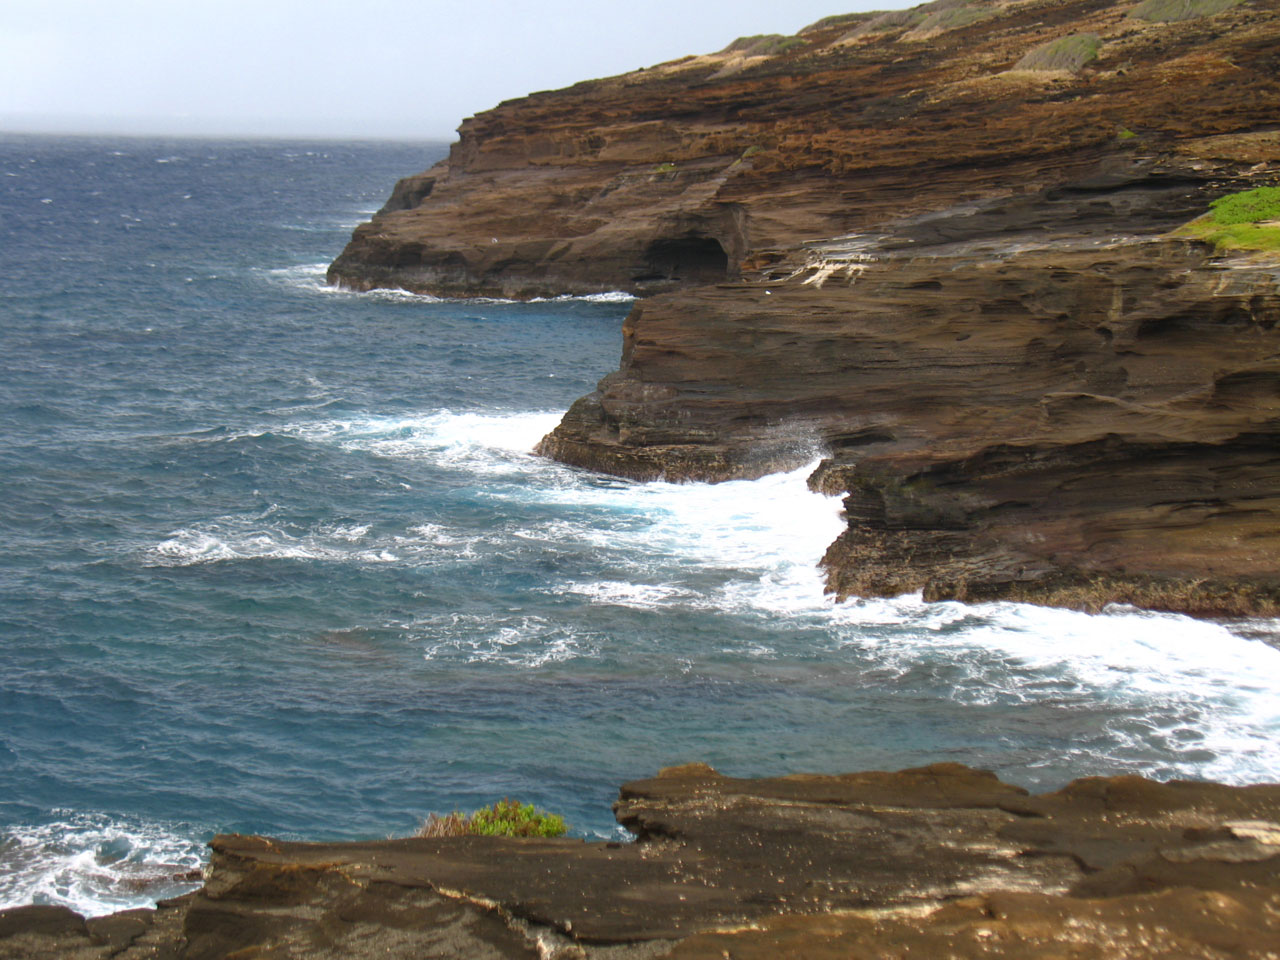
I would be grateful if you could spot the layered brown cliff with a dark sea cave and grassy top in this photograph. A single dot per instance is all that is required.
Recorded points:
(936, 246)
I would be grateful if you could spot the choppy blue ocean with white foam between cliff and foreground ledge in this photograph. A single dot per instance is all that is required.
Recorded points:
(277, 559)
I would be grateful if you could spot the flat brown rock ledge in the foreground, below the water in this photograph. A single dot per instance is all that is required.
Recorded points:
(941, 861)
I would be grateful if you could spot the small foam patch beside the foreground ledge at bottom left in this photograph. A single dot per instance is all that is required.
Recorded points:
(97, 865)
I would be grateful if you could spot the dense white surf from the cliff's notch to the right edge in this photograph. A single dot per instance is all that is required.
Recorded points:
(1183, 697)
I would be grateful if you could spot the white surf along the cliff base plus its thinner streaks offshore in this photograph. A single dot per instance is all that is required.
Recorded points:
(1178, 697)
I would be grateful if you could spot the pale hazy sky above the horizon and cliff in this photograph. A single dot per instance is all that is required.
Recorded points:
(378, 68)
